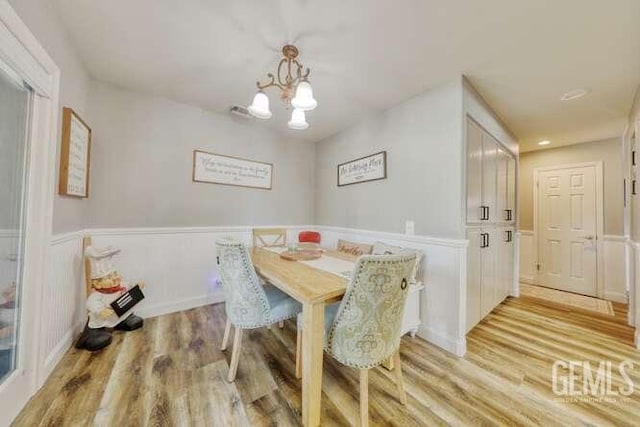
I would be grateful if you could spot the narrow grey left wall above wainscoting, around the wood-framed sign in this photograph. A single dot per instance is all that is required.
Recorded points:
(41, 17)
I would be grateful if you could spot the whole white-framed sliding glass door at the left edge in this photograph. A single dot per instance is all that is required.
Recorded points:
(28, 122)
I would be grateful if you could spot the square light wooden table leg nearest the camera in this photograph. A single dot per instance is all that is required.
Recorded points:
(312, 352)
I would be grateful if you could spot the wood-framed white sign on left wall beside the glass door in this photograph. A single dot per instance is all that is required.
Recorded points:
(75, 154)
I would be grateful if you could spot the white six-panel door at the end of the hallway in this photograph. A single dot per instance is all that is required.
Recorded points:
(567, 224)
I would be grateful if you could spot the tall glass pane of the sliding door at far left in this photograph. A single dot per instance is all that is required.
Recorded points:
(15, 101)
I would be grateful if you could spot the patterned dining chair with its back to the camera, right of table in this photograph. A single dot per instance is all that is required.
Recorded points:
(363, 330)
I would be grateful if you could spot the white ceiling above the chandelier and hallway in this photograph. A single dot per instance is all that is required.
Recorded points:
(368, 55)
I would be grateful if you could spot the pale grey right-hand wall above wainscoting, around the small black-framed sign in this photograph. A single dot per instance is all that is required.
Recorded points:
(422, 138)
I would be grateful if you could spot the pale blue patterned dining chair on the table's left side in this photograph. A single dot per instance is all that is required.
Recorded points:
(248, 304)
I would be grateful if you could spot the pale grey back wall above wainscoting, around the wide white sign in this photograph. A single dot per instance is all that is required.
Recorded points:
(141, 166)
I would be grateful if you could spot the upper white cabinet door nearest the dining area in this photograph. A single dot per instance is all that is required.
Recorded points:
(474, 172)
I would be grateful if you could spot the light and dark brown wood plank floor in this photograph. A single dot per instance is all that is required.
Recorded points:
(172, 373)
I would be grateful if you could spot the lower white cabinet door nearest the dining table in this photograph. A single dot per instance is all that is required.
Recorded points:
(474, 279)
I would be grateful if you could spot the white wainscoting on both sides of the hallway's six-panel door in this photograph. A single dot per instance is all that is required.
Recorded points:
(614, 249)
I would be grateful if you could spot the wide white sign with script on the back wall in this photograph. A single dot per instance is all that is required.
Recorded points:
(226, 170)
